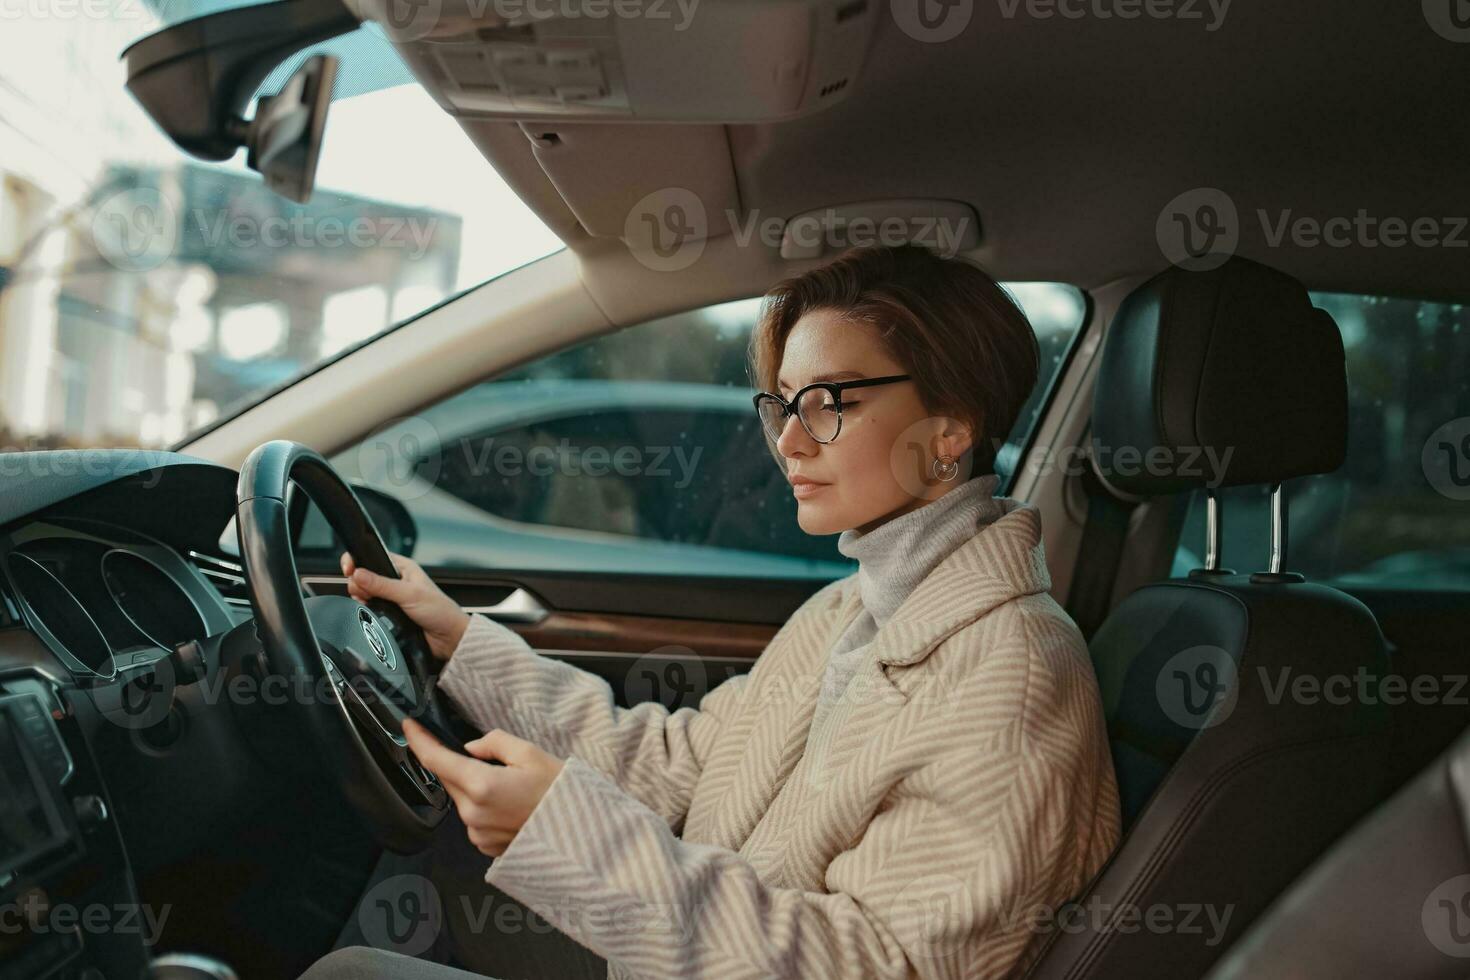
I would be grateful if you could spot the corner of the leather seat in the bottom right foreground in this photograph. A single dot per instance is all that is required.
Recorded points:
(1391, 900)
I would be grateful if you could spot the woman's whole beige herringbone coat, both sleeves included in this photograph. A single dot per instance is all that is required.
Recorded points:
(967, 785)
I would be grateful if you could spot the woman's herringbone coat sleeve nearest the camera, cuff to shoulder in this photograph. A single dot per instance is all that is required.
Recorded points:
(950, 878)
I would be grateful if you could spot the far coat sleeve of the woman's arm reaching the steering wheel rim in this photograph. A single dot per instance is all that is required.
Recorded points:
(501, 682)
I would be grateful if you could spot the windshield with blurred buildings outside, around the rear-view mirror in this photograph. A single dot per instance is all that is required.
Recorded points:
(145, 295)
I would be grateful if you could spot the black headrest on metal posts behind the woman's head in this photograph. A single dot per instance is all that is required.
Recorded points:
(1219, 378)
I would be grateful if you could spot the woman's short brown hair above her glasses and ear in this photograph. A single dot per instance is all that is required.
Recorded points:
(964, 339)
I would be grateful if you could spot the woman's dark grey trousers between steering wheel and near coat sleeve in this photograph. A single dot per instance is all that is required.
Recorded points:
(433, 916)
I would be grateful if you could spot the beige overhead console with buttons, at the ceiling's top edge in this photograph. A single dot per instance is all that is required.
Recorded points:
(652, 61)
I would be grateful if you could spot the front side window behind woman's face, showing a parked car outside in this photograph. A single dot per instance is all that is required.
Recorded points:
(636, 452)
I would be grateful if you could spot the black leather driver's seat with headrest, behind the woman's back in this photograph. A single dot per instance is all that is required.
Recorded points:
(1234, 777)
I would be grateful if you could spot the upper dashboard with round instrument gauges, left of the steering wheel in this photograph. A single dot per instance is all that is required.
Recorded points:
(110, 559)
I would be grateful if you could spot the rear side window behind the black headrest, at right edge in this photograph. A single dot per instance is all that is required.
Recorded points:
(1397, 514)
